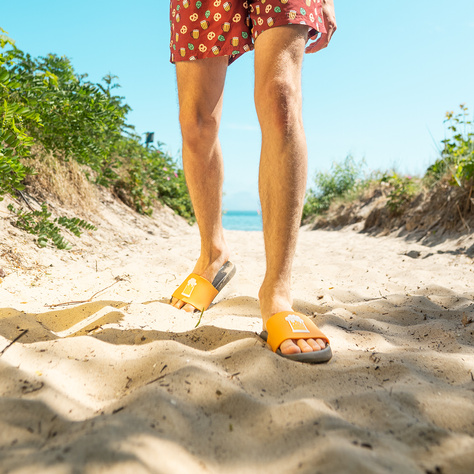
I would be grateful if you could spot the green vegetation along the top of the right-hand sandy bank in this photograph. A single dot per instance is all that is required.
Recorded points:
(345, 181)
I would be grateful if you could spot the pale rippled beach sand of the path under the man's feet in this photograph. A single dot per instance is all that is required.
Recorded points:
(124, 383)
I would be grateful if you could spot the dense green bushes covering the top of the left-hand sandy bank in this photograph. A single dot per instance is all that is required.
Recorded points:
(43, 101)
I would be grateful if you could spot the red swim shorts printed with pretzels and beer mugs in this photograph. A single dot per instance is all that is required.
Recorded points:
(208, 28)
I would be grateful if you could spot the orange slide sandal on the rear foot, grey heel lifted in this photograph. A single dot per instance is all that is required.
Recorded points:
(199, 292)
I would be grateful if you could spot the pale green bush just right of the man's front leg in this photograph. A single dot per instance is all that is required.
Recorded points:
(339, 181)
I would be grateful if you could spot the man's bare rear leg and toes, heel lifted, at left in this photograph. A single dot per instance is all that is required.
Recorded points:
(200, 91)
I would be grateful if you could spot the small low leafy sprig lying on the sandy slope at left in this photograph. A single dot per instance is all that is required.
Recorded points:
(39, 223)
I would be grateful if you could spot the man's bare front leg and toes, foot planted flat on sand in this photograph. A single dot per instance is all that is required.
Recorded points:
(283, 165)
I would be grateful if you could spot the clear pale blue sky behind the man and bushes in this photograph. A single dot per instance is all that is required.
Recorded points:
(379, 91)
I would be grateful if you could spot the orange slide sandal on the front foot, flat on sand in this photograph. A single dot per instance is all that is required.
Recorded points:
(292, 325)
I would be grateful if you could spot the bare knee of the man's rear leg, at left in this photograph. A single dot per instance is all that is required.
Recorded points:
(197, 127)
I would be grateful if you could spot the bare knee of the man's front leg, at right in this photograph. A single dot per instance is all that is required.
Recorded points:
(279, 105)
